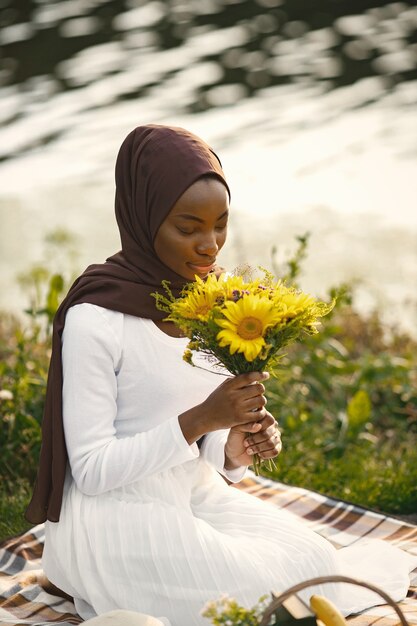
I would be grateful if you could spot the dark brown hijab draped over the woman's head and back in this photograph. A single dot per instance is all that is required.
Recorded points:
(155, 166)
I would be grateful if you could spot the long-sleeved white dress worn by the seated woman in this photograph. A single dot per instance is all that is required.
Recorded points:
(148, 523)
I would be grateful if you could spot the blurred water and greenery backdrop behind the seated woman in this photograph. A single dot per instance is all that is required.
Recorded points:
(311, 107)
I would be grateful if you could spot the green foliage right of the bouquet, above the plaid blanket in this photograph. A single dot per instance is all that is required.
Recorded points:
(346, 401)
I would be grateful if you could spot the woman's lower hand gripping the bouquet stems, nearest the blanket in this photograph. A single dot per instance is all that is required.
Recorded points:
(245, 440)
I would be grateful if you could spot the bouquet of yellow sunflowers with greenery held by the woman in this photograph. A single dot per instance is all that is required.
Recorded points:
(241, 325)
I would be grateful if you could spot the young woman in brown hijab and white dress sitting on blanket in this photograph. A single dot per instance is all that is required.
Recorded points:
(141, 517)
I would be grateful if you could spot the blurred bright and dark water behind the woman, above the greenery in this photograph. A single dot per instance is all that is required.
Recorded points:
(311, 107)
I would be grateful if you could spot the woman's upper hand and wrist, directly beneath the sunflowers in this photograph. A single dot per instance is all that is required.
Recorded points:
(238, 400)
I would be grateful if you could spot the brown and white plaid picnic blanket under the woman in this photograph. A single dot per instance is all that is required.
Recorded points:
(23, 599)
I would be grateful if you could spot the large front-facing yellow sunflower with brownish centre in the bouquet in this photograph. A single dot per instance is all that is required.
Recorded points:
(245, 325)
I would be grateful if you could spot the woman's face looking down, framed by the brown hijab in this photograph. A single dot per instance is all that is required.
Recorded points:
(195, 229)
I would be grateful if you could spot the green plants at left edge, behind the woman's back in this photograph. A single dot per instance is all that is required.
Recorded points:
(24, 361)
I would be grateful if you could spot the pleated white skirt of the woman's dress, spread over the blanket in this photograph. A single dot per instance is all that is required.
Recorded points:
(169, 543)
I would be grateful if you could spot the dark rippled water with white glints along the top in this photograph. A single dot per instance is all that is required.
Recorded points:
(208, 52)
